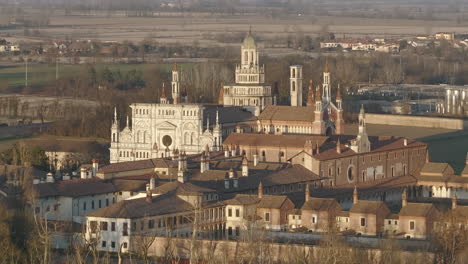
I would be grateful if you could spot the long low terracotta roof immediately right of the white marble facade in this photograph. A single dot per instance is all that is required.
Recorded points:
(271, 140)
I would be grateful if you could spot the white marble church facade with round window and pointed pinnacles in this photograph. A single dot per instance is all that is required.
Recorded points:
(159, 130)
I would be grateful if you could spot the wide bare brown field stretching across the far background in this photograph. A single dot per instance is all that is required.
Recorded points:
(175, 27)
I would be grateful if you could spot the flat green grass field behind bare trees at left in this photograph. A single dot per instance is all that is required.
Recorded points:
(42, 74)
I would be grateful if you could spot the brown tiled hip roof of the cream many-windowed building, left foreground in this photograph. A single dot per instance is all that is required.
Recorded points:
(137, 208)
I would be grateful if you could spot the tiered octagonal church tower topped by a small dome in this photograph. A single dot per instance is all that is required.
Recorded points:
(249, 89)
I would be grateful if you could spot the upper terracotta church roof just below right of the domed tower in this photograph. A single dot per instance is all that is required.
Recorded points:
(287, 113)
